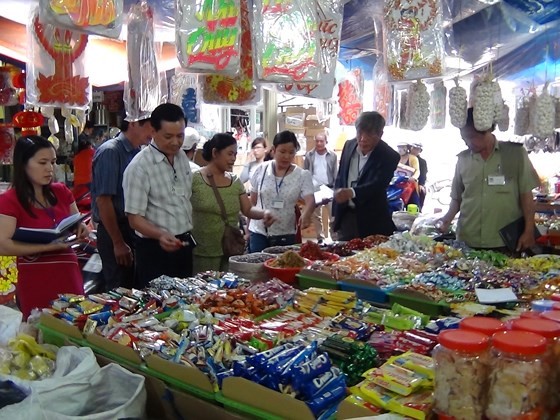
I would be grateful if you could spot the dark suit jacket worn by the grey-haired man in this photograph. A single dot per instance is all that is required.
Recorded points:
(372, 209)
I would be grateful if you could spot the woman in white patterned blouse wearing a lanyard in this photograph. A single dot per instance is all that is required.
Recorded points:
(277, 186)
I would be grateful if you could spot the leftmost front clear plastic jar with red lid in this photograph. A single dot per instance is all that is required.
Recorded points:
(461, 373)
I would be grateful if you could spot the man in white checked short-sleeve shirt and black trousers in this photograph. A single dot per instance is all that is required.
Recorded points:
(157, 190)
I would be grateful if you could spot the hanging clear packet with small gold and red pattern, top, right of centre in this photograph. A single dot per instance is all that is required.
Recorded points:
(415, 47)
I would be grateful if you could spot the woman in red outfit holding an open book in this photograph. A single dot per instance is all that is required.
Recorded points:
(33, 201)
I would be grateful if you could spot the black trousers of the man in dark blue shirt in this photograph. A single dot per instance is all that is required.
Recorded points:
(115, 275)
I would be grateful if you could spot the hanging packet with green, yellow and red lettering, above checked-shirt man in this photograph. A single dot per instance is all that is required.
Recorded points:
(208, 36)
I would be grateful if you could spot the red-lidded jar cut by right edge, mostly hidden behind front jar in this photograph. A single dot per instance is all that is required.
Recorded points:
(551, 331)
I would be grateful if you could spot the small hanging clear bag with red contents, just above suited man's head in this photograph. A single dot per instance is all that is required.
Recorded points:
(350, 97)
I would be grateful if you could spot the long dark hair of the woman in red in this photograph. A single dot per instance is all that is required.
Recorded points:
(25, 149)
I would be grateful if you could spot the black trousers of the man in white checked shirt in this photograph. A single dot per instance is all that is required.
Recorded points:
(152, 261)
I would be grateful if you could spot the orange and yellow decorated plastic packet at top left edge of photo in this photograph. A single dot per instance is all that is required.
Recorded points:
(92, 16)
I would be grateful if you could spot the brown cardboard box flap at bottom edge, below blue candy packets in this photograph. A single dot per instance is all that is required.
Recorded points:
(267, 400)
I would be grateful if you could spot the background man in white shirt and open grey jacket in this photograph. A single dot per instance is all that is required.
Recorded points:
(322, 163)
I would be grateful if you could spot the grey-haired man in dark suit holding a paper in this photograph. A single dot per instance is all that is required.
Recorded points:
(366, 169)
